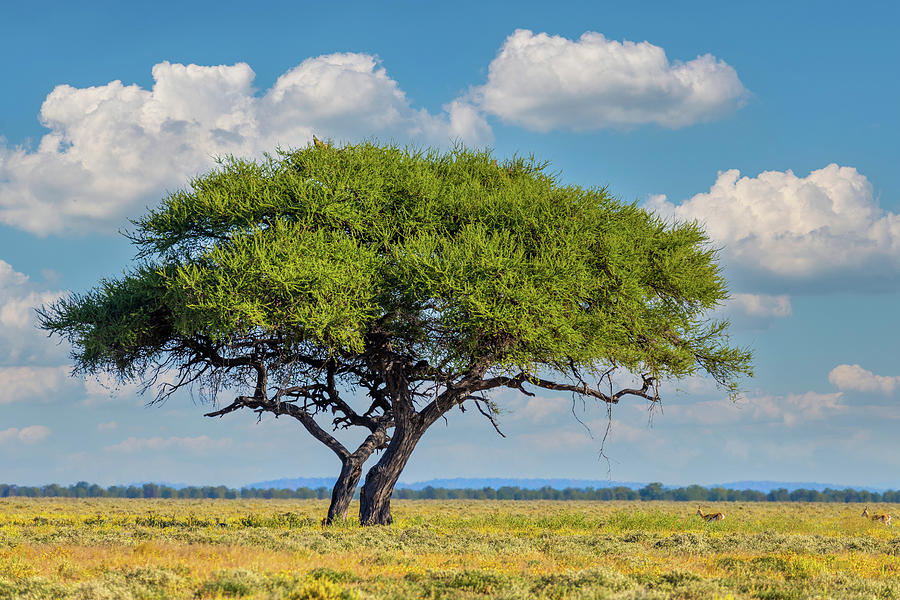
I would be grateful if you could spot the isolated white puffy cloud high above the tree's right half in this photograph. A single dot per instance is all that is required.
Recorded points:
(547, 82)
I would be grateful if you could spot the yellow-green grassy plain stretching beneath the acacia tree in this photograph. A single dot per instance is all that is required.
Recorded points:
(160, 549)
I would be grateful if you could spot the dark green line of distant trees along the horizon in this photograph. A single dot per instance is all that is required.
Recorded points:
(653, 491)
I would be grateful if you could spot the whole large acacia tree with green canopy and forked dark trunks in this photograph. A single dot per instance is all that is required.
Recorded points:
(386, 286)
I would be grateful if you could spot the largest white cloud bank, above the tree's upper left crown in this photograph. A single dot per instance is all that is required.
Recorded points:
(114, 149)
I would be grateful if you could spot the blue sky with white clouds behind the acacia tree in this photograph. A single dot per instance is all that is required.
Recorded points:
(776, 124)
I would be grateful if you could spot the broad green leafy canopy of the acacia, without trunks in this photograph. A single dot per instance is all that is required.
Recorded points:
(455, 257)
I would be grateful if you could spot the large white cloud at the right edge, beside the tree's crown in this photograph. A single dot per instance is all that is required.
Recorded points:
(798, 229)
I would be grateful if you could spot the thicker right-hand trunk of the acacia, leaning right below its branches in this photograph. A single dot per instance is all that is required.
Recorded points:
(375, 498)
